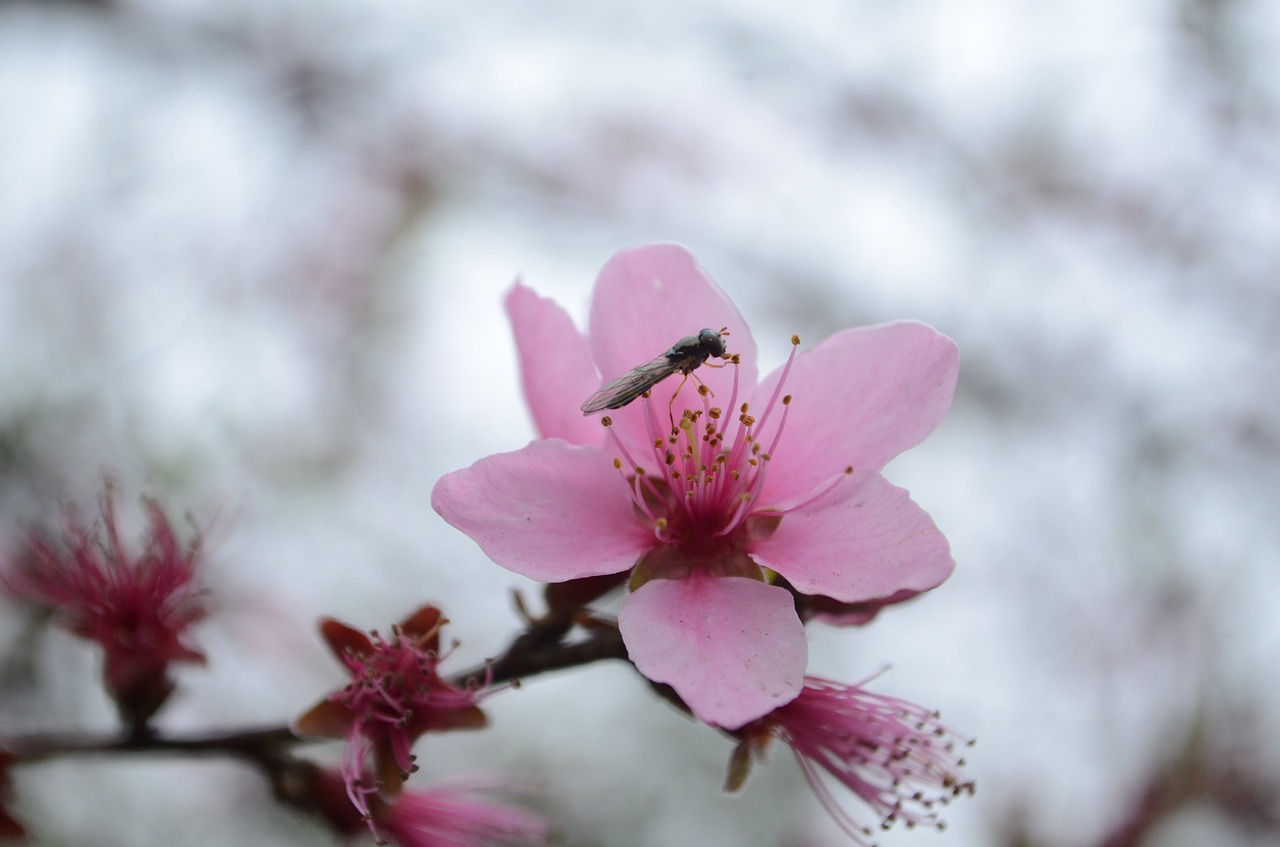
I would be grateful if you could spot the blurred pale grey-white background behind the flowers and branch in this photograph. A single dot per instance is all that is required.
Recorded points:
(253, 260)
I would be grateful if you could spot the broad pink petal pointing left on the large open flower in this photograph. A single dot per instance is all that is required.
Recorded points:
(551, 511)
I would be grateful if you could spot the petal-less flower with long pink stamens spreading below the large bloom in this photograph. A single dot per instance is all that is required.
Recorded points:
(894, 756)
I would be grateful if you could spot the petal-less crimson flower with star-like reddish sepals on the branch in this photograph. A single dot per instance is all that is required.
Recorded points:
(395, 697)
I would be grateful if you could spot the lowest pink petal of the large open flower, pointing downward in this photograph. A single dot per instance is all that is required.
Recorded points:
(732, 648)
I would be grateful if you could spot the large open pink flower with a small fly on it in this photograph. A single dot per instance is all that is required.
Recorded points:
(765, 487)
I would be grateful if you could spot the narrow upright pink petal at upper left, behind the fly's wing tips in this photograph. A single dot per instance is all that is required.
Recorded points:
(556, 368)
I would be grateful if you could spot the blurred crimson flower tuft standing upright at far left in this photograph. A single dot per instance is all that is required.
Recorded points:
(139, 608)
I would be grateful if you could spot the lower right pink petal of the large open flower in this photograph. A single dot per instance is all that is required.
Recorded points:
(866, 541)
